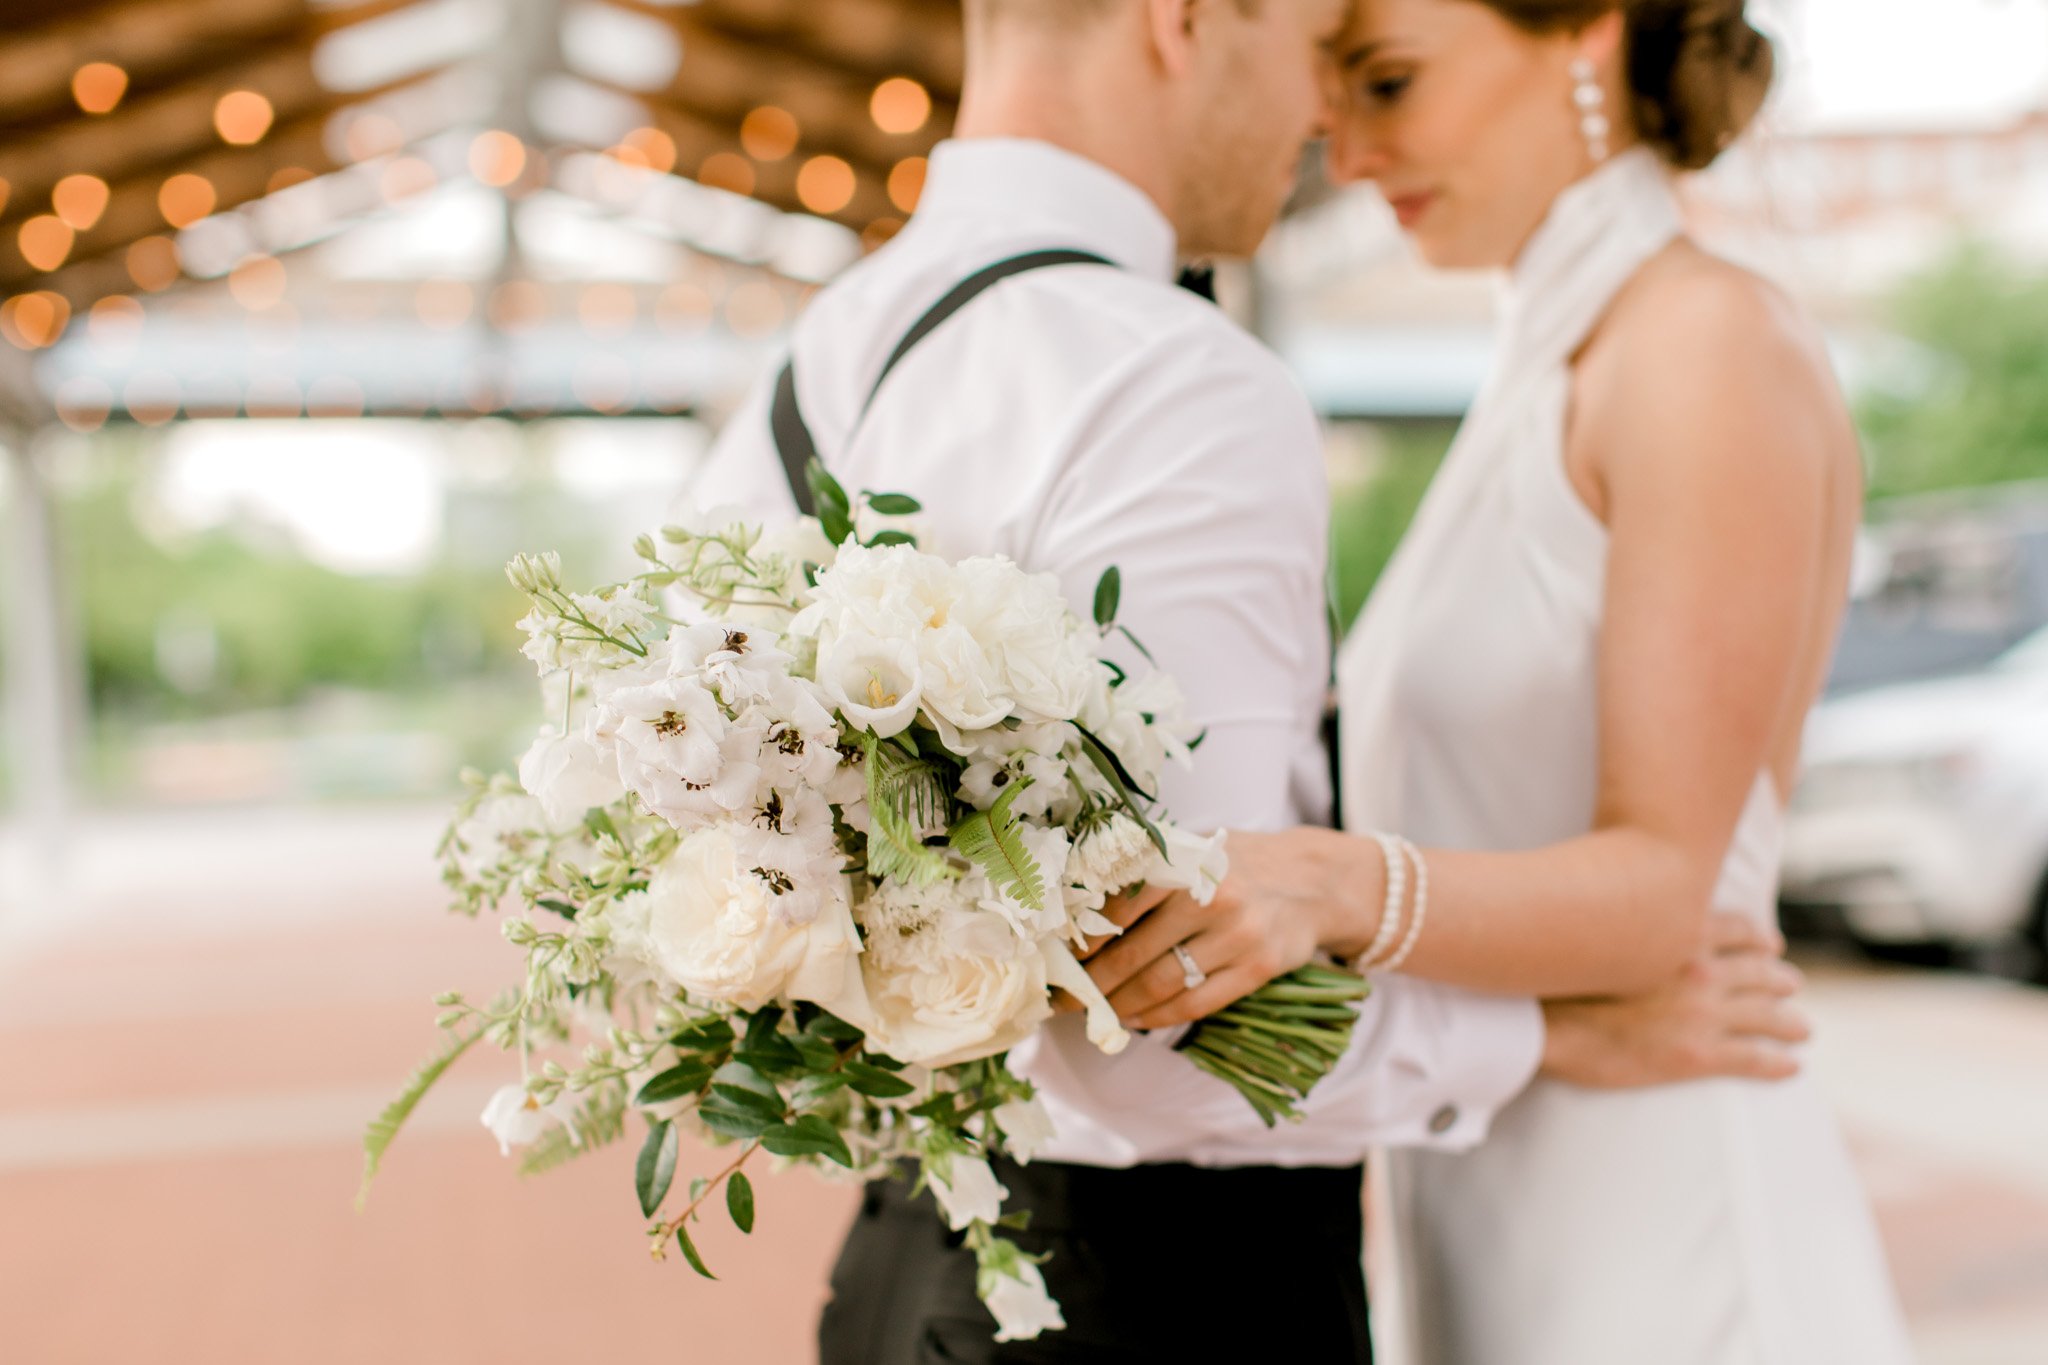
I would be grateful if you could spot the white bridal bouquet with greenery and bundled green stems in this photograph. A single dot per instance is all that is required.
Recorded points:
(810, 842)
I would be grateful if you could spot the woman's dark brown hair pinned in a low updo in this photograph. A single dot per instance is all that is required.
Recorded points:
(1697, 69)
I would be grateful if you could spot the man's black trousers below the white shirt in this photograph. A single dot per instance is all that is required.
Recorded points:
(1152, 1266)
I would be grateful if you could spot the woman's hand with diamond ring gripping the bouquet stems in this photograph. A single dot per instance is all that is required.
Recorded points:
(1265, 922)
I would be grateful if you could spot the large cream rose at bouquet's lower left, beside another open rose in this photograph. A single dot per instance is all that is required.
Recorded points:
(734, 922)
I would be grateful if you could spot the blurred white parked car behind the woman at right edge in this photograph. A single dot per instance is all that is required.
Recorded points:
(1922, 816)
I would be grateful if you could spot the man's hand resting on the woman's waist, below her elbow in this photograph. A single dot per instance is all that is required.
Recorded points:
(1727, 1014)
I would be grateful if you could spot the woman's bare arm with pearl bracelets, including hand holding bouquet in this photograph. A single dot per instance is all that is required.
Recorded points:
(1719, 461)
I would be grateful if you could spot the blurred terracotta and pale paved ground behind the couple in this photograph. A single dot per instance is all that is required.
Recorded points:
(198, 1030)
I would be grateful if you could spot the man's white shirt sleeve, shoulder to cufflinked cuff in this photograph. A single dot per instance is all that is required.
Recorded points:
(1201, 478)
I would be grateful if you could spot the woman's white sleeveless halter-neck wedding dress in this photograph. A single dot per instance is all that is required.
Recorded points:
(1695, 1225)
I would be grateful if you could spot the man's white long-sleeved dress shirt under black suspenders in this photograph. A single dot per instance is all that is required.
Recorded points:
(1086, 416)
